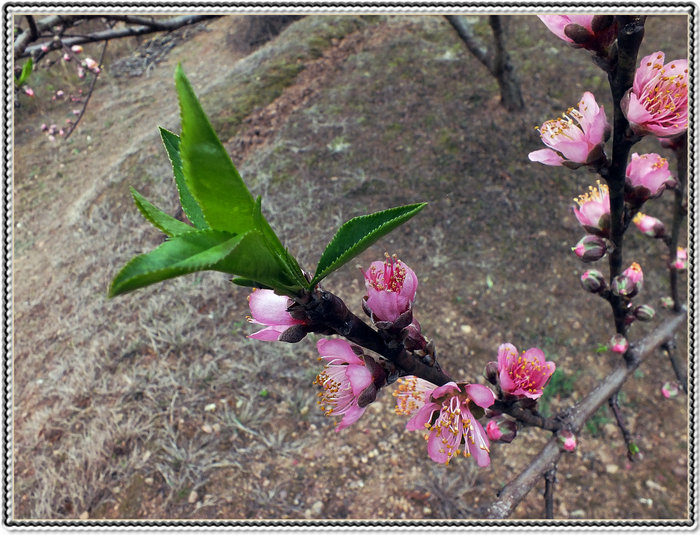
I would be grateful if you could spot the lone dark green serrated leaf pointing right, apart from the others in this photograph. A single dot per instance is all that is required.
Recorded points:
(359, 233)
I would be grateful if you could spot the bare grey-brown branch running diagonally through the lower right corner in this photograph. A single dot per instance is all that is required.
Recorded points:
(514, 492)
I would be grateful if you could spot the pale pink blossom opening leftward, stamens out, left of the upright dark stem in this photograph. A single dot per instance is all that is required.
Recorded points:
(576, 138)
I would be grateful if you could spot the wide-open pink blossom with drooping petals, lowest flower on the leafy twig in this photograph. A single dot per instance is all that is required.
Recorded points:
(447, 412)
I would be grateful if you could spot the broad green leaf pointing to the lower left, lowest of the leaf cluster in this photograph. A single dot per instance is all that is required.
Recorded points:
(195, 251)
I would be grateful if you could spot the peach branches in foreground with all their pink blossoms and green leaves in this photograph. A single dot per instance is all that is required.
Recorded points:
(228, 232)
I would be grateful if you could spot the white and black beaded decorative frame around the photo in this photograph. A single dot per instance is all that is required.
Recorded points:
(9, 9)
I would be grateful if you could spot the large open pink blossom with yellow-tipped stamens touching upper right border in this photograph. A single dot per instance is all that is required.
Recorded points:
(657, 102)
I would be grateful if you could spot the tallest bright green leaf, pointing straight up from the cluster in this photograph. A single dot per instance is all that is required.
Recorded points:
(209, 173)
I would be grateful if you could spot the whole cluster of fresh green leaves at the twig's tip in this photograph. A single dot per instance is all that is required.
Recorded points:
(227, 231)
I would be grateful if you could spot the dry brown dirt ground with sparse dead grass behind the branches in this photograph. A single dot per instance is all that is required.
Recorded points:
(155, 405)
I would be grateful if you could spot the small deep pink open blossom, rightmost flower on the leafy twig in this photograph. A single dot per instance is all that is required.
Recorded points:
(523, 375)
